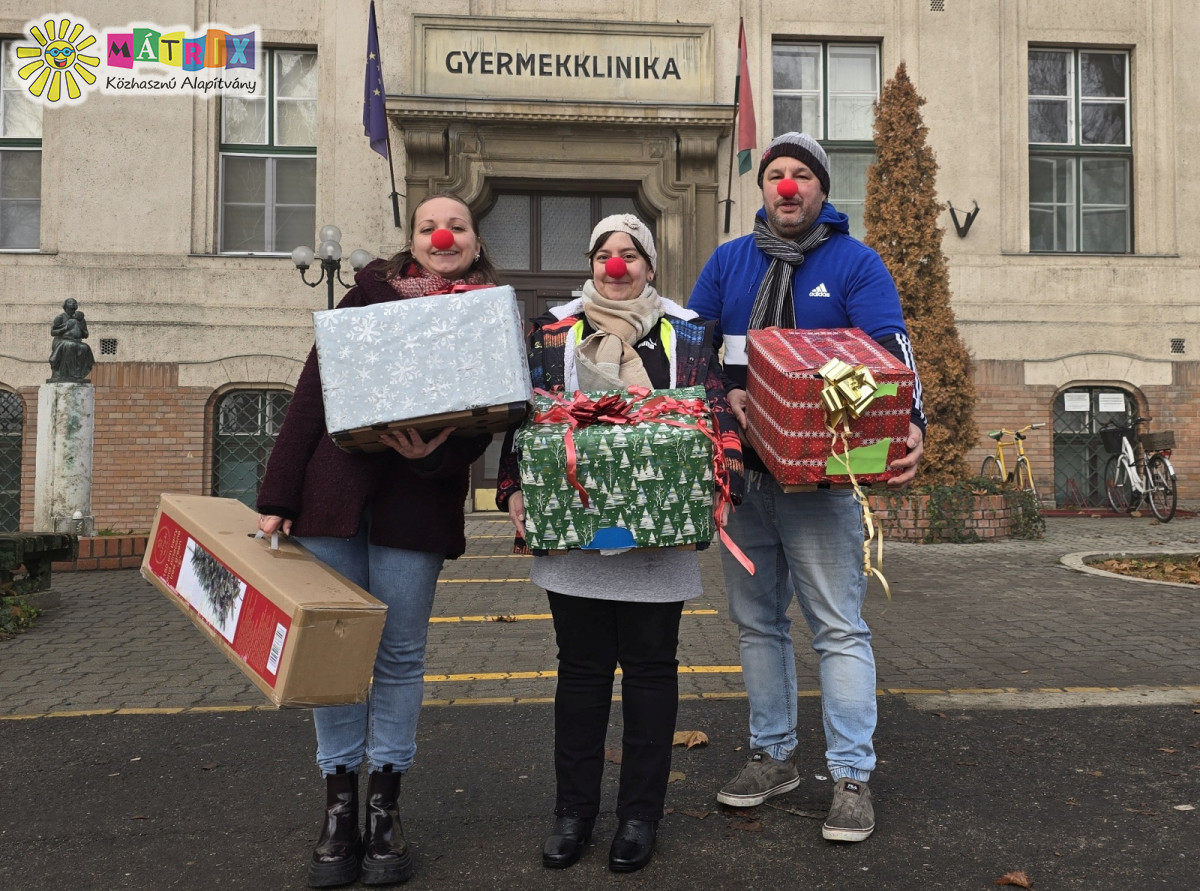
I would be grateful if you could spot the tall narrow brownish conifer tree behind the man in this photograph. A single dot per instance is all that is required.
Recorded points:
(902, 224)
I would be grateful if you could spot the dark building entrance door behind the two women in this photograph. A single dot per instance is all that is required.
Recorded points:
(538, 238)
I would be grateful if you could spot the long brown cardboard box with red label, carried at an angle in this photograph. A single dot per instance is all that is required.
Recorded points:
(304, 635)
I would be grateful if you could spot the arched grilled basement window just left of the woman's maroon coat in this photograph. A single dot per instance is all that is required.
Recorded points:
(245, 427)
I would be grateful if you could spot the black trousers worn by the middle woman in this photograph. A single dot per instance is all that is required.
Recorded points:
(593, 637)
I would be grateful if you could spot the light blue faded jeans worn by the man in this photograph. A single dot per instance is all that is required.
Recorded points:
(808, 546)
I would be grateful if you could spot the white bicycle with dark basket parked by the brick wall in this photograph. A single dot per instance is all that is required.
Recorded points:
(1142, 471)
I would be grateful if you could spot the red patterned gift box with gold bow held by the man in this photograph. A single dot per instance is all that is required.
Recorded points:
(801, 384)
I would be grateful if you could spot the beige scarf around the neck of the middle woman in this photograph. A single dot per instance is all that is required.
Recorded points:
(607, 360)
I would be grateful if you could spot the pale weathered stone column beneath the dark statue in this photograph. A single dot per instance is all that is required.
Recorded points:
(67, 416)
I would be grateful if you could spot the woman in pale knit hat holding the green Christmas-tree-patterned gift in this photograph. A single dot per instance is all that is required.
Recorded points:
(619, 609)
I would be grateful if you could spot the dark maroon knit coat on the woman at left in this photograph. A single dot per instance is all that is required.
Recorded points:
(413, 505)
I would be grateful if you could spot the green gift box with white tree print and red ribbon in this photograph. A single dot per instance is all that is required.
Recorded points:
(619, 470)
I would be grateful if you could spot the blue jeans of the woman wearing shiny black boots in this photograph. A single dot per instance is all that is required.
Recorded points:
(383, 728)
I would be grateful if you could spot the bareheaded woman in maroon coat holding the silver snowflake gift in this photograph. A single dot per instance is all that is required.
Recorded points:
(387, 522)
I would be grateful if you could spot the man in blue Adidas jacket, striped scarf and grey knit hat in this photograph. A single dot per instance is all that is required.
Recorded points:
(802, 270)
